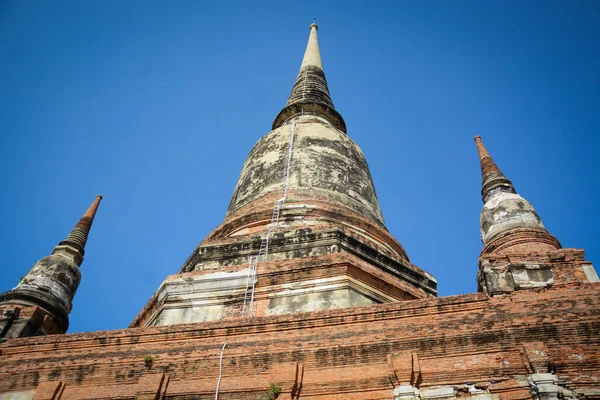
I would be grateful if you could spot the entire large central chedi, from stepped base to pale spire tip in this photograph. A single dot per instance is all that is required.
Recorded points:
(304, 230)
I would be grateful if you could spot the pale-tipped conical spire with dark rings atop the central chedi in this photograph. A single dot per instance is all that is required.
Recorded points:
(310, 94)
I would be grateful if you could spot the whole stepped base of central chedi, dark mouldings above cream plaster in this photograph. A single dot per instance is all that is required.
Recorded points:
(307, 270)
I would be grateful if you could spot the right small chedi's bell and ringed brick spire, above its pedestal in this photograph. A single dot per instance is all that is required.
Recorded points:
(508, 222)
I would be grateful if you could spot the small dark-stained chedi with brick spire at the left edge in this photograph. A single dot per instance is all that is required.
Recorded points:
(40, 304)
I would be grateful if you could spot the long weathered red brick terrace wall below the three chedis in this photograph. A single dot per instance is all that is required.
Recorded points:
(353, 353)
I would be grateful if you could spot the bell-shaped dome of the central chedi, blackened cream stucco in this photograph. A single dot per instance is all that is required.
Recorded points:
(325, 162)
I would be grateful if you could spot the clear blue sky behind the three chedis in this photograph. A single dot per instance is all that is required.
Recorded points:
(155, 105)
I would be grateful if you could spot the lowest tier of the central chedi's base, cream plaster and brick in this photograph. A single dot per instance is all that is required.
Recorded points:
(312, 284)
